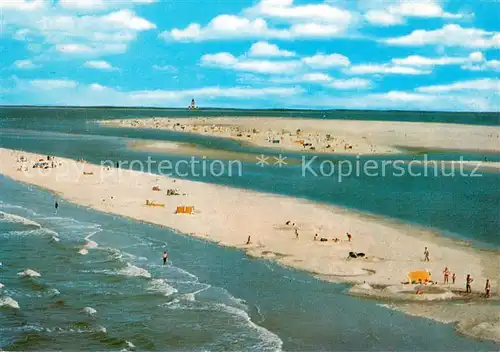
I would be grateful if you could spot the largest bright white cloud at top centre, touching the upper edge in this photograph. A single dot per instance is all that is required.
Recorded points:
(302, 21)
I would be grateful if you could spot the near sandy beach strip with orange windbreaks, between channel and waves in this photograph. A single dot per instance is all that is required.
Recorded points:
(391, 249)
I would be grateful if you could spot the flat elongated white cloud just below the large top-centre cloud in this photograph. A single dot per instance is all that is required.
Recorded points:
(228, 61)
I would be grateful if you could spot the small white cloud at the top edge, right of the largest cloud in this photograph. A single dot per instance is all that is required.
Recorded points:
(396, 14)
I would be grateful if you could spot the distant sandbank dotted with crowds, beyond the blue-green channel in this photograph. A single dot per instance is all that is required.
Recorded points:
(331, 136)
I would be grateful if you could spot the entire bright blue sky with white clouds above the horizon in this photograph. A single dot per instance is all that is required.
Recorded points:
(366, 54)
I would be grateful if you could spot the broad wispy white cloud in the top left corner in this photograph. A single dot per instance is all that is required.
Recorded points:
(59, 31)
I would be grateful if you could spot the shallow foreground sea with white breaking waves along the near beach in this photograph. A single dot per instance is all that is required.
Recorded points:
(119, 295)
